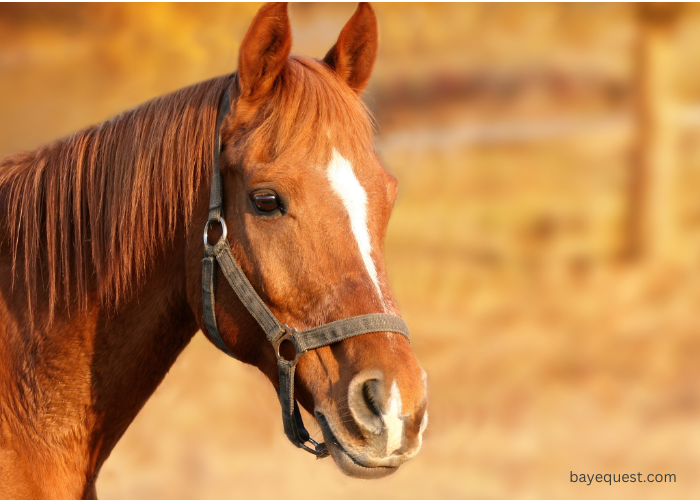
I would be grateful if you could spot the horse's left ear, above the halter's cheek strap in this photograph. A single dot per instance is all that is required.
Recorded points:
(264, 50)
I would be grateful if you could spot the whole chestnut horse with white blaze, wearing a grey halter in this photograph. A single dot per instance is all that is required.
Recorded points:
(103, 281)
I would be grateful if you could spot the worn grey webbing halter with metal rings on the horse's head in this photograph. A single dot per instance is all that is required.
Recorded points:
(276, 333)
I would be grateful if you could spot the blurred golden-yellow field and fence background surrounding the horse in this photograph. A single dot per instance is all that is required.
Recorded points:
(544, 249)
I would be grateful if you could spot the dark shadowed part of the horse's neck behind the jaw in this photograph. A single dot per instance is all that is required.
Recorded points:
(135, 348)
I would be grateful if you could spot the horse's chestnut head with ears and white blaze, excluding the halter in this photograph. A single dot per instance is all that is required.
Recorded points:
(307, 204)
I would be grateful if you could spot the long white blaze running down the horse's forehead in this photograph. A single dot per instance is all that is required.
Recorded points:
(346, 185)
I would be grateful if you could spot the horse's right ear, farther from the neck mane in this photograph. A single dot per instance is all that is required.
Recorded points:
(353, 55)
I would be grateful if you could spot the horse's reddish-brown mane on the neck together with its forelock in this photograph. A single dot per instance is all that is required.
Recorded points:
(100, 204)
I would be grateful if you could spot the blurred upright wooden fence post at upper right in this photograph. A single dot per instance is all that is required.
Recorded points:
(652, 211)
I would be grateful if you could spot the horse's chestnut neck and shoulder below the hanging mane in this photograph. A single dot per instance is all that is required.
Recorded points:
(69, 388)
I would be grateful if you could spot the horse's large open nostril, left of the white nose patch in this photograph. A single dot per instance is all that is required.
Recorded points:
(365, 401)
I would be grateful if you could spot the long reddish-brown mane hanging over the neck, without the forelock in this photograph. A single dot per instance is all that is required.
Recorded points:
(96, 205)
